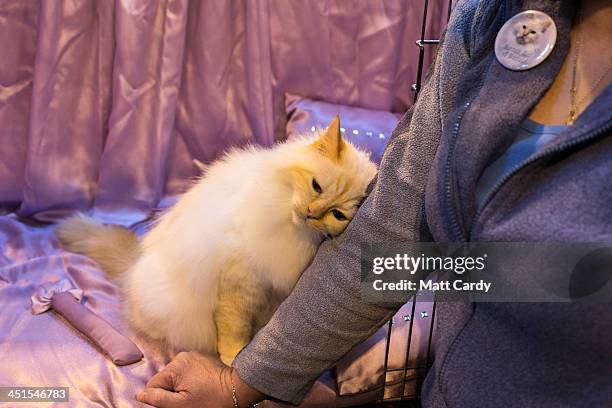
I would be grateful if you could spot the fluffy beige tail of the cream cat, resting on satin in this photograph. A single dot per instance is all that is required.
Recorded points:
(114, 248)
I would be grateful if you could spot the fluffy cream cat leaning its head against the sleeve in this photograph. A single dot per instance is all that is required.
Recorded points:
(215, 266)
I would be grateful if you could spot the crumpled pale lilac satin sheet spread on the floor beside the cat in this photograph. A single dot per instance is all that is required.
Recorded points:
(41, 350)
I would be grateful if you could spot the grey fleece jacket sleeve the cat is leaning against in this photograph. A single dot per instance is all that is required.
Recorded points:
(324, 316)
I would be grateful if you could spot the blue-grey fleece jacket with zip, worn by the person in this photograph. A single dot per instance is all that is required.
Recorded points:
(487, 354)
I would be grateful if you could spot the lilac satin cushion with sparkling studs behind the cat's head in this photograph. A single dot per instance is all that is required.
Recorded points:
(365, 128)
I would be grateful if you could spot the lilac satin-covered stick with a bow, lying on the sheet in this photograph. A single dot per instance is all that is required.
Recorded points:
(66, 301)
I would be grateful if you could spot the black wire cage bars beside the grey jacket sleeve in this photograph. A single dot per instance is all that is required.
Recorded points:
(413, 382)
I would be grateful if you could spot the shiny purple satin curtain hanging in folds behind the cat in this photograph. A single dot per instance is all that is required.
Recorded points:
(104, 104)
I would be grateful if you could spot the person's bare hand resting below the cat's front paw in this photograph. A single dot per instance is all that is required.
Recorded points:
(194, 380)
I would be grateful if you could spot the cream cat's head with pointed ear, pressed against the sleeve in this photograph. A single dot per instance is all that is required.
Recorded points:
(328, 188)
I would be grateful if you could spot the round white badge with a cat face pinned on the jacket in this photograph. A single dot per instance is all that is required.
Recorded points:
(525, 40)
